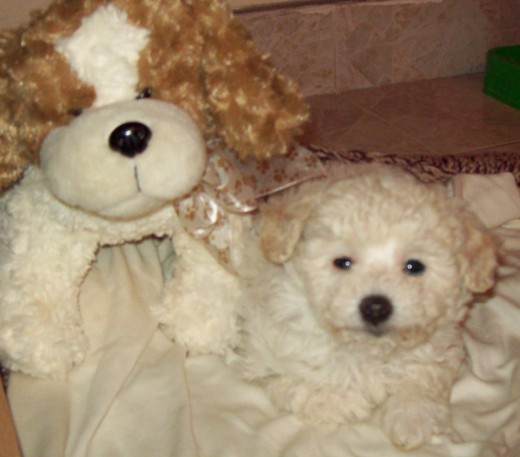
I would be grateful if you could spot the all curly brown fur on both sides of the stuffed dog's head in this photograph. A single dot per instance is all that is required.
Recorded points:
(200, 57)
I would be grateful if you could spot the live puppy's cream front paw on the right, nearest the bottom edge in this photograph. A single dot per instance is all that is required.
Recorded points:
(411, 422)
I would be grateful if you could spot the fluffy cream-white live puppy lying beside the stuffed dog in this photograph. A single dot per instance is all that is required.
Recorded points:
(370, 277)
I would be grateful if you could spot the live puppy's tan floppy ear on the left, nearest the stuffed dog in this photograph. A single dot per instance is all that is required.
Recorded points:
(281, 225)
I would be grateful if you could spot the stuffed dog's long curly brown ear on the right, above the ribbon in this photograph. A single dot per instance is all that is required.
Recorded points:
(256, 111)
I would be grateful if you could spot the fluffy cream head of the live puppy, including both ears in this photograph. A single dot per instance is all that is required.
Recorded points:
(380, 253)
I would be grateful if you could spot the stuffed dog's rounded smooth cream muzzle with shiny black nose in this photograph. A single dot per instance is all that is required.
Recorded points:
(122, 160)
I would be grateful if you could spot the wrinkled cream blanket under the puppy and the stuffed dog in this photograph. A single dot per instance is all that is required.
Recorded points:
(138, 394)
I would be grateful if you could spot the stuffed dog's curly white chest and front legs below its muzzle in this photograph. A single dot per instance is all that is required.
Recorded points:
(47, 248)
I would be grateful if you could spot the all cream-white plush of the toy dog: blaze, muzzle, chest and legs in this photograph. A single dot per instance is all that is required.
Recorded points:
(88, 192)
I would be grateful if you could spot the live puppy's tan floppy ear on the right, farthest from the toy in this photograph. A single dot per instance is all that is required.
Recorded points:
(478, 253)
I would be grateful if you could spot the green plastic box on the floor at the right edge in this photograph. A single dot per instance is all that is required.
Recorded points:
(502, 78)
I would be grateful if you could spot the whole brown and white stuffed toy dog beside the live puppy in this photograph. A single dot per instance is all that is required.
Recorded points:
(112, 114)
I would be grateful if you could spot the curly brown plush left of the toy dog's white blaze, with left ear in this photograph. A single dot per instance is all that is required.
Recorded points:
(37, 86)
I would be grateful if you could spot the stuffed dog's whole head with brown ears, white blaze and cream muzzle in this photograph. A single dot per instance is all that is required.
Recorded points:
(117, 99)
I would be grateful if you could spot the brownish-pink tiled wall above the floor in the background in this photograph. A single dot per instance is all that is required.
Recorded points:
(333, 47)
